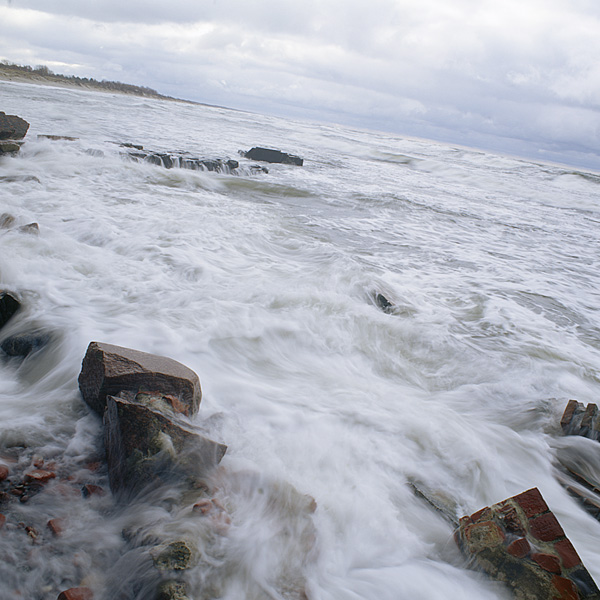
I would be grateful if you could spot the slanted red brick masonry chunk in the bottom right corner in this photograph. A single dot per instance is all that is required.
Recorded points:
(520, 542)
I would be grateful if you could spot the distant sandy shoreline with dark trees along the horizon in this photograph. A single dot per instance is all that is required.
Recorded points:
(22, 75)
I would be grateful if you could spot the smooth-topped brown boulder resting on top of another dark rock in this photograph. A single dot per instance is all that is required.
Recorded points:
(108, 370)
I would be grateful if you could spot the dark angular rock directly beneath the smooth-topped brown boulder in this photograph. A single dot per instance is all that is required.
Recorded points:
(146, 448)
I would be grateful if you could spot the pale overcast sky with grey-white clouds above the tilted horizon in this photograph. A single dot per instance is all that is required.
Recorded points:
(518, 77)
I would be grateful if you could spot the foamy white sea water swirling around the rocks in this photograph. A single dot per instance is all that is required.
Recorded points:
(265, 285)
